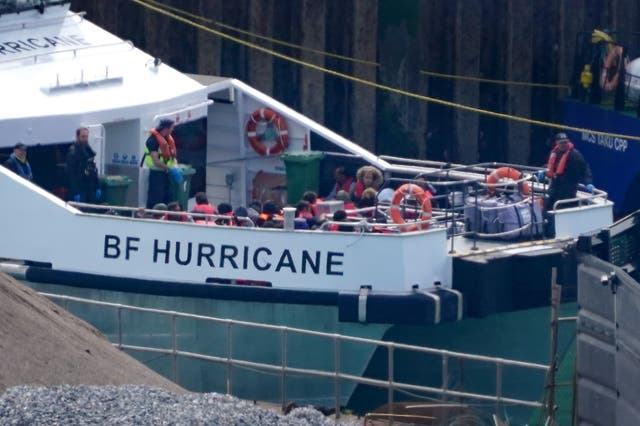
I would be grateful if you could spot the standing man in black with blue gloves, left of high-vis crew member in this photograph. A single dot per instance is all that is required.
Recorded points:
(81, 169)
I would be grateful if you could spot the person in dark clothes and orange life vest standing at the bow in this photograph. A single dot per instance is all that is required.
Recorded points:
(566, 168)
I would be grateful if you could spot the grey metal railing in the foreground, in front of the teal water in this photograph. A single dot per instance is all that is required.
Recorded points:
(390, 384)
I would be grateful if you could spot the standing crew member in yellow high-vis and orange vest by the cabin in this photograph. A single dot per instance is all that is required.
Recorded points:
(161, 157)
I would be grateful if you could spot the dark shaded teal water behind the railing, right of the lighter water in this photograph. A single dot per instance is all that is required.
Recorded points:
(521, 335)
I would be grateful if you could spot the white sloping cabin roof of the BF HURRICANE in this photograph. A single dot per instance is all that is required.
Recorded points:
(59, 64)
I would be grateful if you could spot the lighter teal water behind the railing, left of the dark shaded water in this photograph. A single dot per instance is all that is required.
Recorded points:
(245, 343)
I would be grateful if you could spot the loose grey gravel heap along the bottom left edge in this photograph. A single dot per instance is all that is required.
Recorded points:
(140, 405)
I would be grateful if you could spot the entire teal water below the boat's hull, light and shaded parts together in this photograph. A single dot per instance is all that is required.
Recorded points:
(522, 335)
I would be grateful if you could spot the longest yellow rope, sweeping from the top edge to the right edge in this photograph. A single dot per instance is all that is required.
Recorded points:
(382, 86)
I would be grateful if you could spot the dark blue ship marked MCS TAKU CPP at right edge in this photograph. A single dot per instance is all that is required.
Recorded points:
(610, 104)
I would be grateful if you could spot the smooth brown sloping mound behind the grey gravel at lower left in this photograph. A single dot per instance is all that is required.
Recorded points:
(42, 344)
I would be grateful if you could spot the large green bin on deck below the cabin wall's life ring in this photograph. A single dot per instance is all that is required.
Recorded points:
(303, 173)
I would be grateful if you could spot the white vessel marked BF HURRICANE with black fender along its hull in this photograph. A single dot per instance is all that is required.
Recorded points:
(60, 72)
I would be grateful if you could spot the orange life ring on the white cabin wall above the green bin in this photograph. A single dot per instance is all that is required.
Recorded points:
(272, 121)
